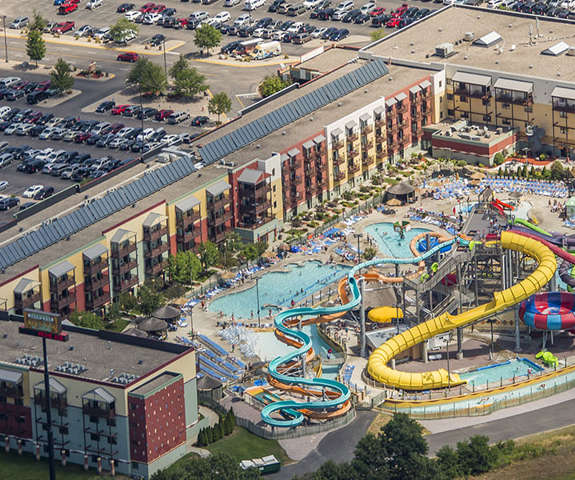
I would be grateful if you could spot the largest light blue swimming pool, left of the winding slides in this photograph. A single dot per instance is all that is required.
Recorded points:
(278, 289)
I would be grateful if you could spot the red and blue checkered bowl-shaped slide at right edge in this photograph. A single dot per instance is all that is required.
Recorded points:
(549, 311)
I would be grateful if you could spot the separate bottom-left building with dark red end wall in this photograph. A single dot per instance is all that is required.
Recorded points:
(132, 414)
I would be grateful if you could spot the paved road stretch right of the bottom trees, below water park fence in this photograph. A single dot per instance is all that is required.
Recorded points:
(548, 418)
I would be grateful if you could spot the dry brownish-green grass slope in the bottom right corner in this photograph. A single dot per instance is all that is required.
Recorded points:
(557, 464)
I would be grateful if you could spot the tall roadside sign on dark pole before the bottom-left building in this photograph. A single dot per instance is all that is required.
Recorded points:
(46, 326)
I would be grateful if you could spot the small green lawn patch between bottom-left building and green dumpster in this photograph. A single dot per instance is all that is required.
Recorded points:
(244, 445)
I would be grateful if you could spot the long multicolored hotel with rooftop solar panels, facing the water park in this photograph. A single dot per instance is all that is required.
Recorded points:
(358, 112)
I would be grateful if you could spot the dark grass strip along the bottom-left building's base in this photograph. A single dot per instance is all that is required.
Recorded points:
(25, 467)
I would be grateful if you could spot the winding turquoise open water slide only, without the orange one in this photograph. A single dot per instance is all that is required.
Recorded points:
(289, 410)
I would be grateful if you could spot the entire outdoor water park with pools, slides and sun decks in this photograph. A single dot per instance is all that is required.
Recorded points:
(456, 314)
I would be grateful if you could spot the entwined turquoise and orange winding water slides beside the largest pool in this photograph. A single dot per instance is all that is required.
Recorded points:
(326, 397)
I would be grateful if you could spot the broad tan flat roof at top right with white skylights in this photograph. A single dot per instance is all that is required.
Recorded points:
(514, 53)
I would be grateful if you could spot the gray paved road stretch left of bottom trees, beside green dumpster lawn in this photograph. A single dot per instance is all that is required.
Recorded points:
(337, 446)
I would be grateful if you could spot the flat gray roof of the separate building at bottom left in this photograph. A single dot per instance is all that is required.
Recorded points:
(123, 354)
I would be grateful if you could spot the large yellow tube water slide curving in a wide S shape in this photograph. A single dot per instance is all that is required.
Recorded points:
(377, 364)
